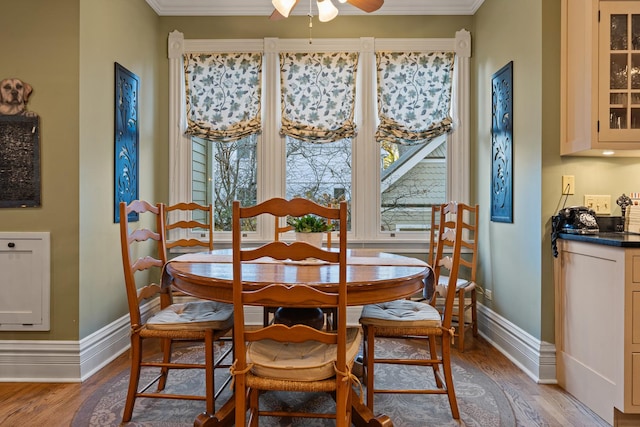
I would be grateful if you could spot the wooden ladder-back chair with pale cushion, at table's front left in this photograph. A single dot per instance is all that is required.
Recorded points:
(143, 260)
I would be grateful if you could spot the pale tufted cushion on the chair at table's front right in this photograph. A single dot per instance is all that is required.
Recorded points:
(401, 313)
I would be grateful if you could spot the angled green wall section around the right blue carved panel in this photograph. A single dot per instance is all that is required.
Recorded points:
(510, 253)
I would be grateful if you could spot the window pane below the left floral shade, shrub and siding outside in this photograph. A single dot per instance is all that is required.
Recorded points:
(227, 171)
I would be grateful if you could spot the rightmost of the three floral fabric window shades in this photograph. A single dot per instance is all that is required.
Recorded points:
(414, 96)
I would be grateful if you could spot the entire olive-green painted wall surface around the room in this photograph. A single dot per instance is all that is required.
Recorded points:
(71, 46)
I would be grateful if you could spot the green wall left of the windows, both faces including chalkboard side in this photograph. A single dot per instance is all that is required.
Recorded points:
(66, 50)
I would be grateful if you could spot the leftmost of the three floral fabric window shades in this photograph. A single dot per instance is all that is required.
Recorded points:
(223, 95)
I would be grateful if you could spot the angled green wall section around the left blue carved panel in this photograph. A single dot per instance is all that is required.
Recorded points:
(126, 32)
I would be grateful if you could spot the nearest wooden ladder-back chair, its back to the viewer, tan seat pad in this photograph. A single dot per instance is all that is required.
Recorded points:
(294, 358)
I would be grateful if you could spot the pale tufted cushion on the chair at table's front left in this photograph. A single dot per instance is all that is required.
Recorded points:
(194, 315)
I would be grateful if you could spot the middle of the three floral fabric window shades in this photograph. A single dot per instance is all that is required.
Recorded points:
(318, 95)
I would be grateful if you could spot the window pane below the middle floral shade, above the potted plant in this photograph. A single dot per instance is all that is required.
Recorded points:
(319, 172)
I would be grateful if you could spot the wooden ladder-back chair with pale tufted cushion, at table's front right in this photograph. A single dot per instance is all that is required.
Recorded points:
(408, 318)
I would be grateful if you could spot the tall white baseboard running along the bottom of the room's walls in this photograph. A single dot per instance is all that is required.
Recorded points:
(75, 361)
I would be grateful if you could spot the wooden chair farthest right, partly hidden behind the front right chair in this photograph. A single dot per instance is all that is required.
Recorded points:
(465, 314)
